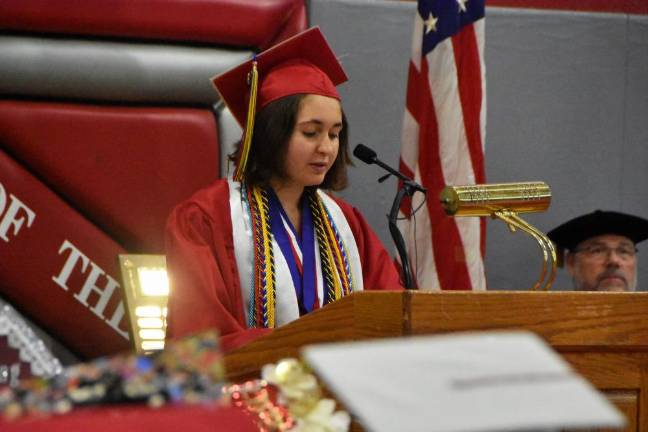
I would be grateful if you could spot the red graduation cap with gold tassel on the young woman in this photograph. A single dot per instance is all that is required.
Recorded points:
(303, 64)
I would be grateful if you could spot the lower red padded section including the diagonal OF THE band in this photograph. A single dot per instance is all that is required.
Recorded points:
(86, 184)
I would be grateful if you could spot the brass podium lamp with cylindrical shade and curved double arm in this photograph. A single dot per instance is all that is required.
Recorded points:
(504, 201)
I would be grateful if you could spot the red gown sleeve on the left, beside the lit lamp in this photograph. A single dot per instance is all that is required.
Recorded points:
(205, 288)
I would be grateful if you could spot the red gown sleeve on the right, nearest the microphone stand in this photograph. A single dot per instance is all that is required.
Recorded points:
(378, 270)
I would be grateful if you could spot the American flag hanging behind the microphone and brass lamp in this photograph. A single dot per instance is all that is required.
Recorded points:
(443, 142)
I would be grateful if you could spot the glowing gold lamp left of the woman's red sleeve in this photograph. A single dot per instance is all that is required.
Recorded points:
(146, 290)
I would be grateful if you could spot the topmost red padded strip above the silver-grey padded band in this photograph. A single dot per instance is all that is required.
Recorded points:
(251, 23)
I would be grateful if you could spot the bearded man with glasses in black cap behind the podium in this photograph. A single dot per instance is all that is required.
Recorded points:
(600, 250)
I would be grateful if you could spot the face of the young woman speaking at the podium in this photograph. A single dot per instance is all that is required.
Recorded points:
(314, 143)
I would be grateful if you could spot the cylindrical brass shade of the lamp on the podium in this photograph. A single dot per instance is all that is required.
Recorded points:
(485, 199)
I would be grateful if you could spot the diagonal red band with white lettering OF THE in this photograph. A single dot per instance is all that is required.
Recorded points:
(35, 249)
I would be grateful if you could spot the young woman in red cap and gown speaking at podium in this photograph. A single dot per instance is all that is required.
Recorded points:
(257, 251)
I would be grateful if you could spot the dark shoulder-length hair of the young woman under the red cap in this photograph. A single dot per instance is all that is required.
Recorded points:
(273, 127)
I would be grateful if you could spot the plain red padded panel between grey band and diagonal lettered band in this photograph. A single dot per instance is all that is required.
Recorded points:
(124, 168)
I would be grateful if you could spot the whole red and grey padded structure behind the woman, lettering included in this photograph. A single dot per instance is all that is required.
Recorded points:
(107, 120)
